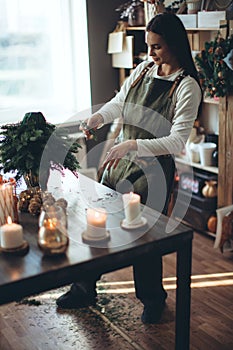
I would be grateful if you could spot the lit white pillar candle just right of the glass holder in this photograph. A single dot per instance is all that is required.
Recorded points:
(96, 222)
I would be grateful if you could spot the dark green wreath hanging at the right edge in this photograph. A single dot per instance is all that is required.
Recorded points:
(215, 67)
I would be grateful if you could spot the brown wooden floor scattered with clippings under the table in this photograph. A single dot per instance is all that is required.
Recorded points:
(115, 322)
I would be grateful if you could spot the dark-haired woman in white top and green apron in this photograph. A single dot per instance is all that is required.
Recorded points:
(159, 103)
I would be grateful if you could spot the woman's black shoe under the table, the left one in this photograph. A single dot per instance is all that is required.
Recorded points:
(77, 297)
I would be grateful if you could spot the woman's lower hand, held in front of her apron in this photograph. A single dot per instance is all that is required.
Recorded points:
(117, 152)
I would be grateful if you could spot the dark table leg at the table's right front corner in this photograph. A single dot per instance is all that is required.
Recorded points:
(183, 296)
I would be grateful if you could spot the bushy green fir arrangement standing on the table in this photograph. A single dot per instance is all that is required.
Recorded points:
(24, 144)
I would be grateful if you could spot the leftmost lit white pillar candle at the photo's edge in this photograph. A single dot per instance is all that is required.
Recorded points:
(11, 235)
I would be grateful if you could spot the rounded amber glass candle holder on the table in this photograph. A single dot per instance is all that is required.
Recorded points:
(52, 236)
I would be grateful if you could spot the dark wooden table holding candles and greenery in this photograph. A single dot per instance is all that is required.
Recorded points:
(34, 273)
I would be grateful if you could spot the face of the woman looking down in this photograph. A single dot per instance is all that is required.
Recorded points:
(158, 49)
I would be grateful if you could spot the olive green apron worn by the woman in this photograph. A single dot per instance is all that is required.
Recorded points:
(147, 114)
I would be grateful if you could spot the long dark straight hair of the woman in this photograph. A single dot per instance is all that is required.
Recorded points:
(170, 27)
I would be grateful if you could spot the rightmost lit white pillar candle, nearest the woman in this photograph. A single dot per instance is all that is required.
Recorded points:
(132, 208)
